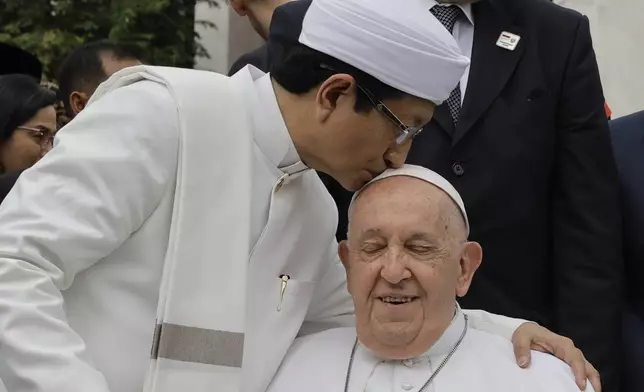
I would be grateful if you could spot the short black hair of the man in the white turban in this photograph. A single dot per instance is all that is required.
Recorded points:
(300, 69)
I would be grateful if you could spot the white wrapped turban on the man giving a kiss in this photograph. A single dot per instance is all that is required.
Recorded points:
(398, 42)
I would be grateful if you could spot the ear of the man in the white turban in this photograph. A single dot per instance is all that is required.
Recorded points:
(337, 90)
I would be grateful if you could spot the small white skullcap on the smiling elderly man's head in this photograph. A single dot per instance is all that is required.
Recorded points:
(422, 174)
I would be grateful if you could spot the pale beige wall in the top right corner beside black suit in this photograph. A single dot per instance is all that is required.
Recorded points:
(618, 33)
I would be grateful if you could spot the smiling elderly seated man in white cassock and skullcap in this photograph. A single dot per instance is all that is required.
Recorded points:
(407, 259)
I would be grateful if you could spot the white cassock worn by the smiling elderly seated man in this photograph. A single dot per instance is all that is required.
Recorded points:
(483, 362)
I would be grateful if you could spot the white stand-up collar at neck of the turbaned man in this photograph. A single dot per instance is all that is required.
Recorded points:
(271, 134)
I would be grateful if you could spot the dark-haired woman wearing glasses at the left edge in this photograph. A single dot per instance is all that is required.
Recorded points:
(27, 126)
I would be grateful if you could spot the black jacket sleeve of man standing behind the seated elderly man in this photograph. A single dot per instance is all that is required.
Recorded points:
(586, 217)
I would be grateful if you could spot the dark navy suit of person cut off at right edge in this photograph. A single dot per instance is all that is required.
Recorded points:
(628, 143)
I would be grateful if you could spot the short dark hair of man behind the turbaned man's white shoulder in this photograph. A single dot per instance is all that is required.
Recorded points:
(82, 69)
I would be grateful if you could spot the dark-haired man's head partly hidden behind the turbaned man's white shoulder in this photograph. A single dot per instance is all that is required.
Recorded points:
(86, 67)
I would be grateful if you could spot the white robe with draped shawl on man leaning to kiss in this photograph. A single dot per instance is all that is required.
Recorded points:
(84, 242)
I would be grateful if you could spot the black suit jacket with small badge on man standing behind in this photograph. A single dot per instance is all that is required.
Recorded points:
(532, 158)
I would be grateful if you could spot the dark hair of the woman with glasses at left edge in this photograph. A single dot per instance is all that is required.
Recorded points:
(21, 97)
